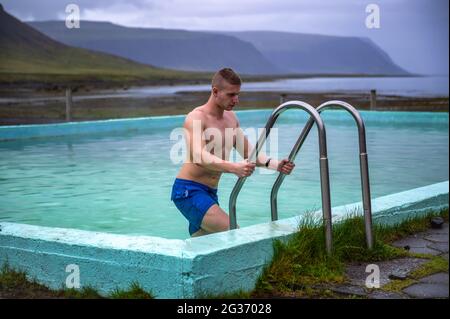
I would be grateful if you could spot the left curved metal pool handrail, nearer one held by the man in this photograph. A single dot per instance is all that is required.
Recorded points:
(324, 175)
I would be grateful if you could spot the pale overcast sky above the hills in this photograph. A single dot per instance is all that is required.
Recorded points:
(413, 32)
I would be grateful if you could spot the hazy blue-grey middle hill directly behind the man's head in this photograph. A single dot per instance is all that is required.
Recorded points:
(174, 49)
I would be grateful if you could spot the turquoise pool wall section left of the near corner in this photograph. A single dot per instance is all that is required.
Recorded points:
(106, 262)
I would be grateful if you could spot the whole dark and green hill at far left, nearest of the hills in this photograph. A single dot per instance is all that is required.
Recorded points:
(27, 54)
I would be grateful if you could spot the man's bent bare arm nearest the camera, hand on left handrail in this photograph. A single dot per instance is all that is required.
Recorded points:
(199, 155)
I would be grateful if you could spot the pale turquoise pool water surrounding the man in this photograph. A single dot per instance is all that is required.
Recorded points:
(120, 182)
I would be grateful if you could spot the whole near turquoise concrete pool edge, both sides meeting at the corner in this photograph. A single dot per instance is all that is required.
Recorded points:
(172, 268)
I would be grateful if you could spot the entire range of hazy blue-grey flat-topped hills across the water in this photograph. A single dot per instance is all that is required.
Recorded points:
(258, 52)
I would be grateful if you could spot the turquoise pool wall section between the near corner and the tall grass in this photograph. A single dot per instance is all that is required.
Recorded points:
(232, 261)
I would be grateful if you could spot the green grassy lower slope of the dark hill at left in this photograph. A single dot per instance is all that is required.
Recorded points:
(49, 62)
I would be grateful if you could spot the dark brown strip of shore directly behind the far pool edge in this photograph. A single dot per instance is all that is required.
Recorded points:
(47, 111)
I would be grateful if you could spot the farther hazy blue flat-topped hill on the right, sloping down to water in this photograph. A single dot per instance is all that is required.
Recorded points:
(315, 54)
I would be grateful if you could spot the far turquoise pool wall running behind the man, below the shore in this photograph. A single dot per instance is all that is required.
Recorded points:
(155, 122)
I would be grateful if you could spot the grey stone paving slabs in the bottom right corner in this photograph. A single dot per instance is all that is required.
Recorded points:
(433, 241)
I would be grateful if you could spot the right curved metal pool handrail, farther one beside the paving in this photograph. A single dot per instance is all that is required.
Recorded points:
(364, 168)
